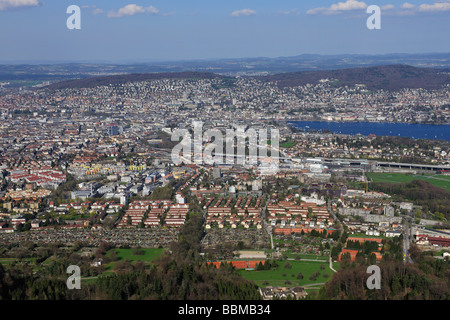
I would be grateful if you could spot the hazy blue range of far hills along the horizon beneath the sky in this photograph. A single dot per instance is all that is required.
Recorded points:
(36, 73)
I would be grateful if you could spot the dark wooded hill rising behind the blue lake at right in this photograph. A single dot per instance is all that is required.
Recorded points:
(388, 77)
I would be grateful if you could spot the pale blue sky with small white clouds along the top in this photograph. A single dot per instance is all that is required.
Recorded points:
(164, 30)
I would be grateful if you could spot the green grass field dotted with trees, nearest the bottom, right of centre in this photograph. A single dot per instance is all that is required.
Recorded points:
(279, 276)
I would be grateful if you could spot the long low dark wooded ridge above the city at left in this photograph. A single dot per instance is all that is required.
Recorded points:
(125, 78)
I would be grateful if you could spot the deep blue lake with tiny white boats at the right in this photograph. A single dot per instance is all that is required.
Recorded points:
(416, 131)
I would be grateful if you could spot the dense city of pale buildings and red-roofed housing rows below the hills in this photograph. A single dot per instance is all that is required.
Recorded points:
(88, 178)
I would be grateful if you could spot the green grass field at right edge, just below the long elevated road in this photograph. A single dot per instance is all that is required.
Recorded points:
(437, 180)
